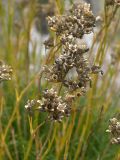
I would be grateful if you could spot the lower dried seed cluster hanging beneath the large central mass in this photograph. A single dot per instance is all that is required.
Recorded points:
(56, 107)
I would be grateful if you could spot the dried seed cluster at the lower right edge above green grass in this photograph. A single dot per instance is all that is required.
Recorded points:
(114, 129)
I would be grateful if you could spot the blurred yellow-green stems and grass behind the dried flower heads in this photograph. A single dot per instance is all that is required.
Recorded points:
(82, 136)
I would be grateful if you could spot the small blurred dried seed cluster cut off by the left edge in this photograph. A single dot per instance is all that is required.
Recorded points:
(5, 72)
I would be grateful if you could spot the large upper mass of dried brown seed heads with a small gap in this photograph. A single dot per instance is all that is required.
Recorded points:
(70, 29)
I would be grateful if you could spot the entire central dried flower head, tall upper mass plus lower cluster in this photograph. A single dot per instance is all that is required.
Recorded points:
(70, 29)
